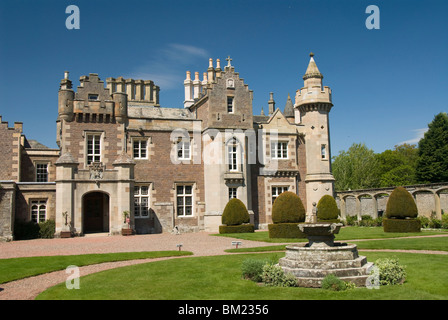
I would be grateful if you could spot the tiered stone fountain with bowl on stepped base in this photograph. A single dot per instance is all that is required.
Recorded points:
(311, 262)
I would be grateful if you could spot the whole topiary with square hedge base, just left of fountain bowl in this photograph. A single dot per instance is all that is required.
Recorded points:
(287, 212)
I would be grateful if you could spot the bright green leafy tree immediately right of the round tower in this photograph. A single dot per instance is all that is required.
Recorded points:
(356, 168)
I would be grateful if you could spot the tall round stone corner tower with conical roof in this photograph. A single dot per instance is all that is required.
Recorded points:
(312, 107)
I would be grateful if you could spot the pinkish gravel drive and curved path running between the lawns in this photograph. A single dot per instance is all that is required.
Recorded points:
(201, 244)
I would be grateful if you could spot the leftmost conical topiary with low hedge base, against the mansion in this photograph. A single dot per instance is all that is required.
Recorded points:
(235, 218)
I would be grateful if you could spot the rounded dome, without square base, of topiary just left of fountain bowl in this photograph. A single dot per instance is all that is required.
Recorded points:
(288, 208)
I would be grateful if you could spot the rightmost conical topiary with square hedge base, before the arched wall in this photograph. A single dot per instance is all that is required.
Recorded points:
(401, 212)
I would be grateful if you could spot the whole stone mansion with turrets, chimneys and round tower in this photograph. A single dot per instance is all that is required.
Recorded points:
(119, 151)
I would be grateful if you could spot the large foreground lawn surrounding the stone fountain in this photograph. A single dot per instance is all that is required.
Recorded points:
(219, 277)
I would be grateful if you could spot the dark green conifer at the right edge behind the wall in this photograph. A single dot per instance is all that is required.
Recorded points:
(432, 165)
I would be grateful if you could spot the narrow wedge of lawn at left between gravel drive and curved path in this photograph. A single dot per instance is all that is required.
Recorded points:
(18, 268)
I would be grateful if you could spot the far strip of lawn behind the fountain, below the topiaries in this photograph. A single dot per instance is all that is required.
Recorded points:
(346, 233)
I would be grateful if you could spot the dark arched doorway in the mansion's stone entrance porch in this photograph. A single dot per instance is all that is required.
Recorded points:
(95, 208)
